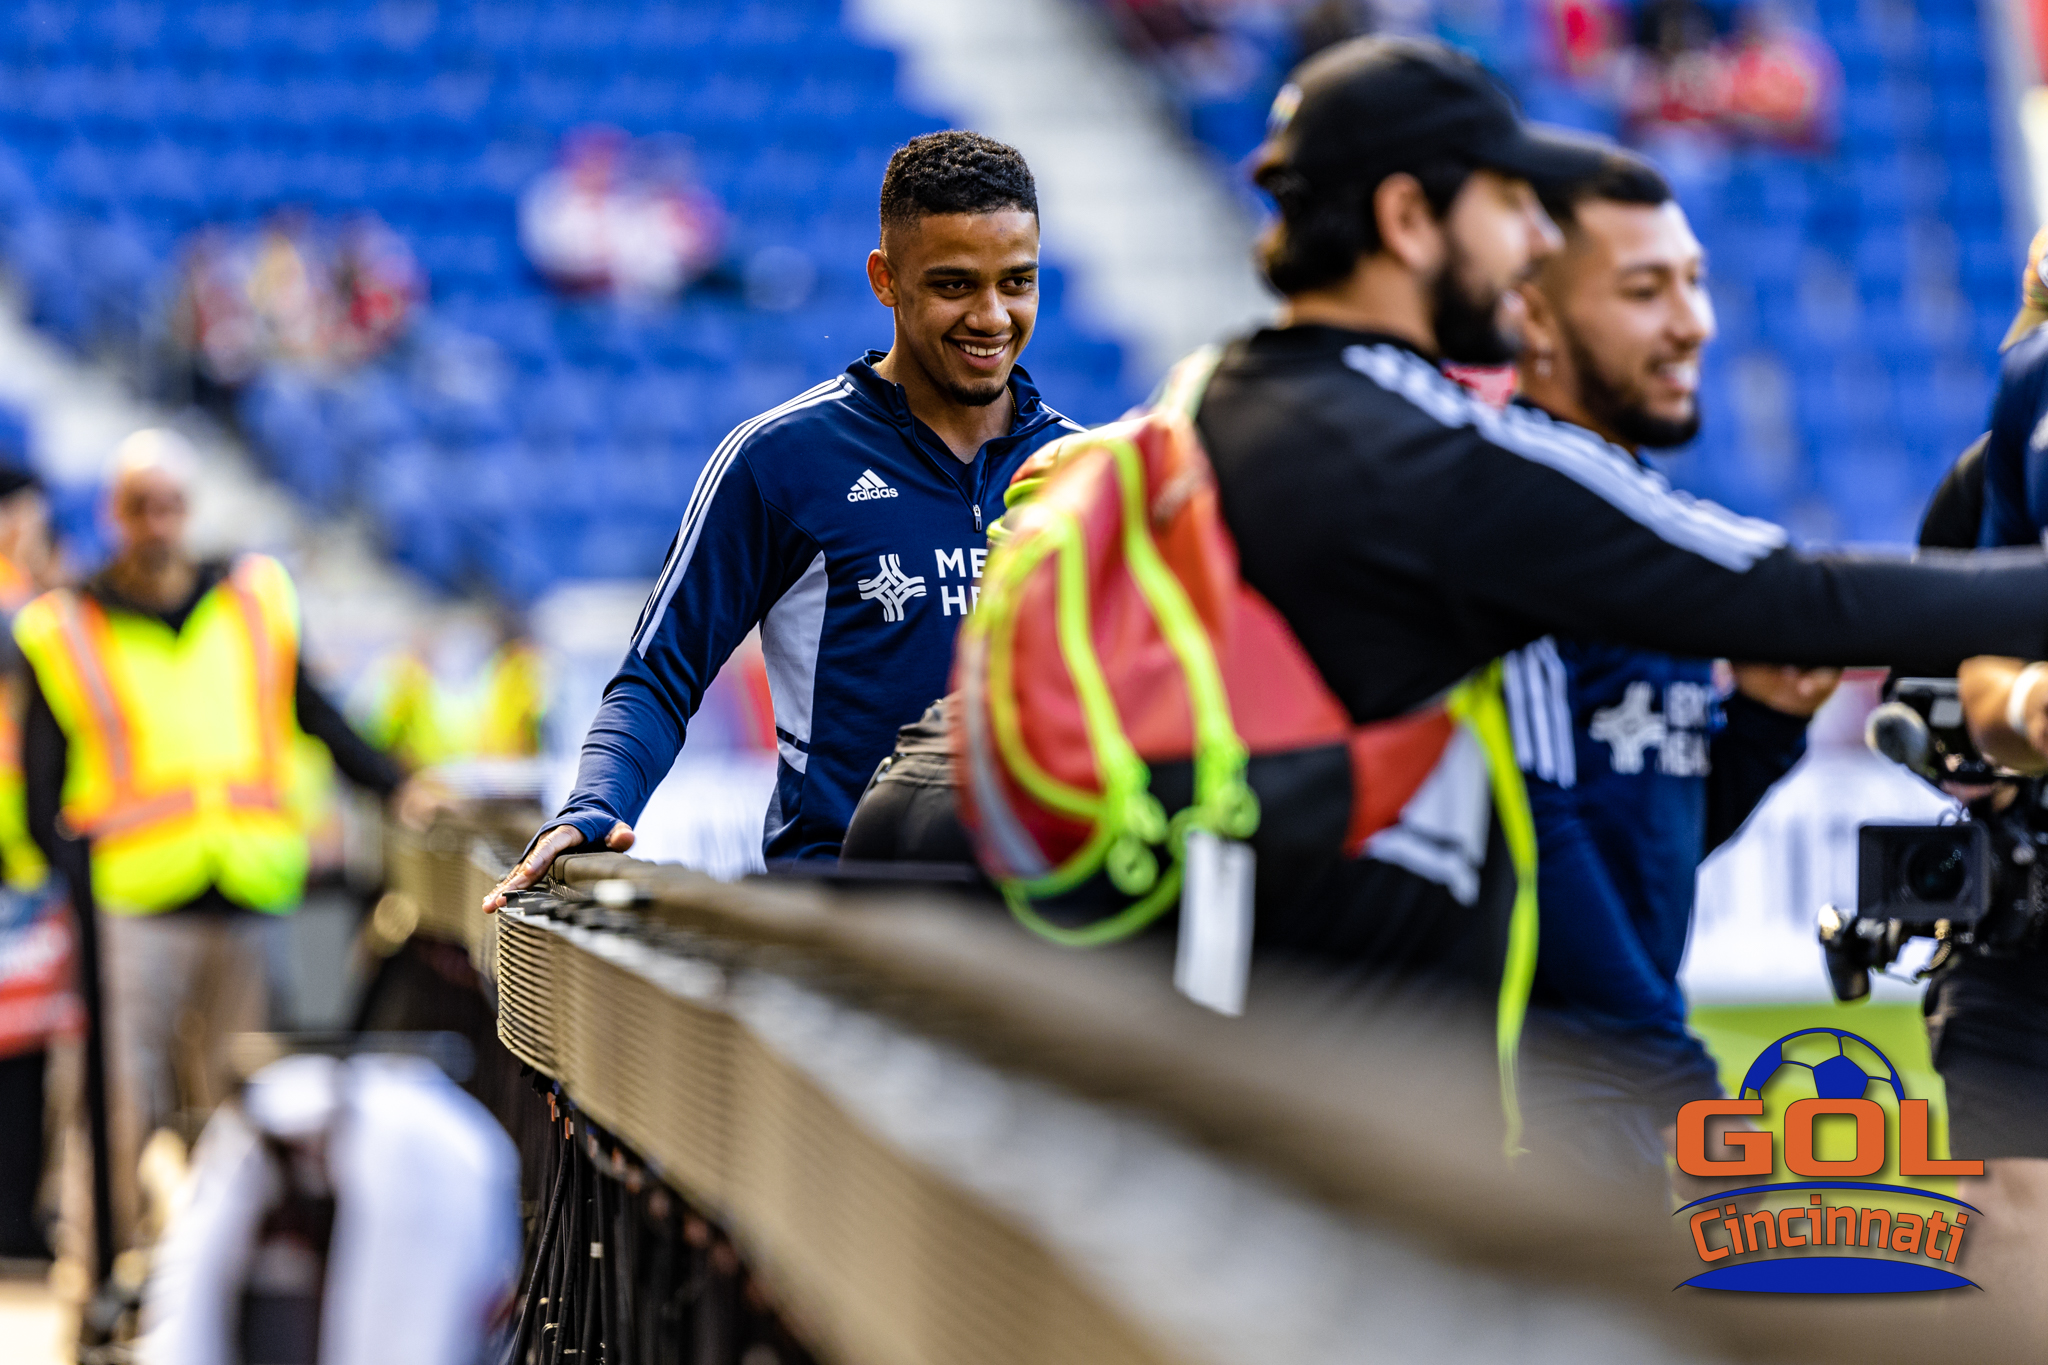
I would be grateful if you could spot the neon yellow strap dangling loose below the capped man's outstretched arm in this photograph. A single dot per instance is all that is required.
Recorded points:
(1480, 705)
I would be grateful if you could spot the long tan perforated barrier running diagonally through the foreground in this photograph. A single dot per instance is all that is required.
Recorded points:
(941, 1143)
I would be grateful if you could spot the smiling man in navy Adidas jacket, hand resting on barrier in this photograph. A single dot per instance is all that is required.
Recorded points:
(849, 523)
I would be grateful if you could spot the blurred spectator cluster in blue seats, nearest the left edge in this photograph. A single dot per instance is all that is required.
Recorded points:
(292, 294)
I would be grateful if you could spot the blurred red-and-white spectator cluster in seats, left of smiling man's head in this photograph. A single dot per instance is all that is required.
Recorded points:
(620, 218)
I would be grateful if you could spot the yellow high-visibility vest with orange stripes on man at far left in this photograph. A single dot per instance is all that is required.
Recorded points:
(179, 742)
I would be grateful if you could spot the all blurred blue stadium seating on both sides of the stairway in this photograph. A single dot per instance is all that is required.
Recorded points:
(1863, 290)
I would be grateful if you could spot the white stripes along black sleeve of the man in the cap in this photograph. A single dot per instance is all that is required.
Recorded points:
(1641, 494)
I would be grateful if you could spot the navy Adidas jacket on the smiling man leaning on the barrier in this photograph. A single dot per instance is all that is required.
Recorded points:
(849, 533)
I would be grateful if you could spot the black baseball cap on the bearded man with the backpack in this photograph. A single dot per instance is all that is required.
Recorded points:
(1371, 107)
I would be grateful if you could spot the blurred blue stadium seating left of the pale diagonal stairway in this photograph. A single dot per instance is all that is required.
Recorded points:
(126, 128)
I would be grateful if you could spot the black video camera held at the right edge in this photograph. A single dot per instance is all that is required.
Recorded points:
(1977, 885)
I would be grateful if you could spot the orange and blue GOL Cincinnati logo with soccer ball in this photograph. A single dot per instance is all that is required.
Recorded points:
(1791, 1237)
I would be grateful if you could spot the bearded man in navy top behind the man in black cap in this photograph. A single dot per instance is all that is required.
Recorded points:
(1635, 760)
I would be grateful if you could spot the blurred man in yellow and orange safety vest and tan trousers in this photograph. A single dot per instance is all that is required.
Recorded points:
(165, 697)
